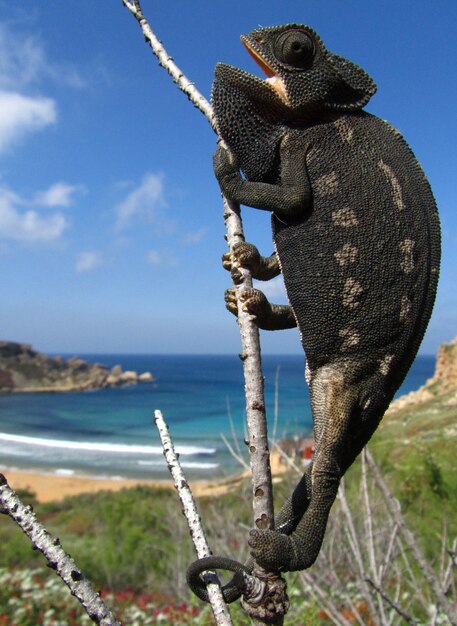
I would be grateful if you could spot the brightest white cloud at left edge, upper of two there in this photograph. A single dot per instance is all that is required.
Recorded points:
(21, 115)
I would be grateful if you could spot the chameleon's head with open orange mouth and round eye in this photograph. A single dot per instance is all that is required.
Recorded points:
(303, 77)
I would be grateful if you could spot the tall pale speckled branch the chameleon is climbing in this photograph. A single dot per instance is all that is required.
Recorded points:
(250, 341)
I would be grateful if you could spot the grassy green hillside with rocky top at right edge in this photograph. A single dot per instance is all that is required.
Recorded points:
(415, 445)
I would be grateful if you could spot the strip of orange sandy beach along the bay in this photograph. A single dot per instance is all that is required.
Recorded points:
(51, 487)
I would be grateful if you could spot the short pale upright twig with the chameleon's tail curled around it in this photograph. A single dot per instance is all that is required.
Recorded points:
(197, 534)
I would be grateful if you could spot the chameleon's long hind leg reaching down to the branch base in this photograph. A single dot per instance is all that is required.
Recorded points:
(333, 406)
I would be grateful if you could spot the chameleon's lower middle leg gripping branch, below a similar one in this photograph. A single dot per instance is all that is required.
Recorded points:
(268, 316)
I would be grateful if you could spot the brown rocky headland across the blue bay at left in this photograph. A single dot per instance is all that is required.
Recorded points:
(24, 370)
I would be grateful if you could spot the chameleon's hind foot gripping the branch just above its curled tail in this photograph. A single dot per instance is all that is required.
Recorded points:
(272, 550)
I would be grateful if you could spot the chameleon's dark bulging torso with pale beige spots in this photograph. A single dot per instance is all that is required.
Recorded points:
(361, 269)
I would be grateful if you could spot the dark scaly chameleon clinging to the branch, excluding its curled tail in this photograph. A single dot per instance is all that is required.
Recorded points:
(357, 238)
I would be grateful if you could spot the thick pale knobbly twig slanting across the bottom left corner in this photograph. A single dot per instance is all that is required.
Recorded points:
(57, 558)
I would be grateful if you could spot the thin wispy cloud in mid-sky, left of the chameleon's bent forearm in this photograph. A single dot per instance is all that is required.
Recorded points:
(142, 203)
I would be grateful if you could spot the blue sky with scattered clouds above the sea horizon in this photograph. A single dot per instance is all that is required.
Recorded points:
(111, 226)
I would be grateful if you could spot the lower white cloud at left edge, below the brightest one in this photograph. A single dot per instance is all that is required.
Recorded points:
(27, 225)
